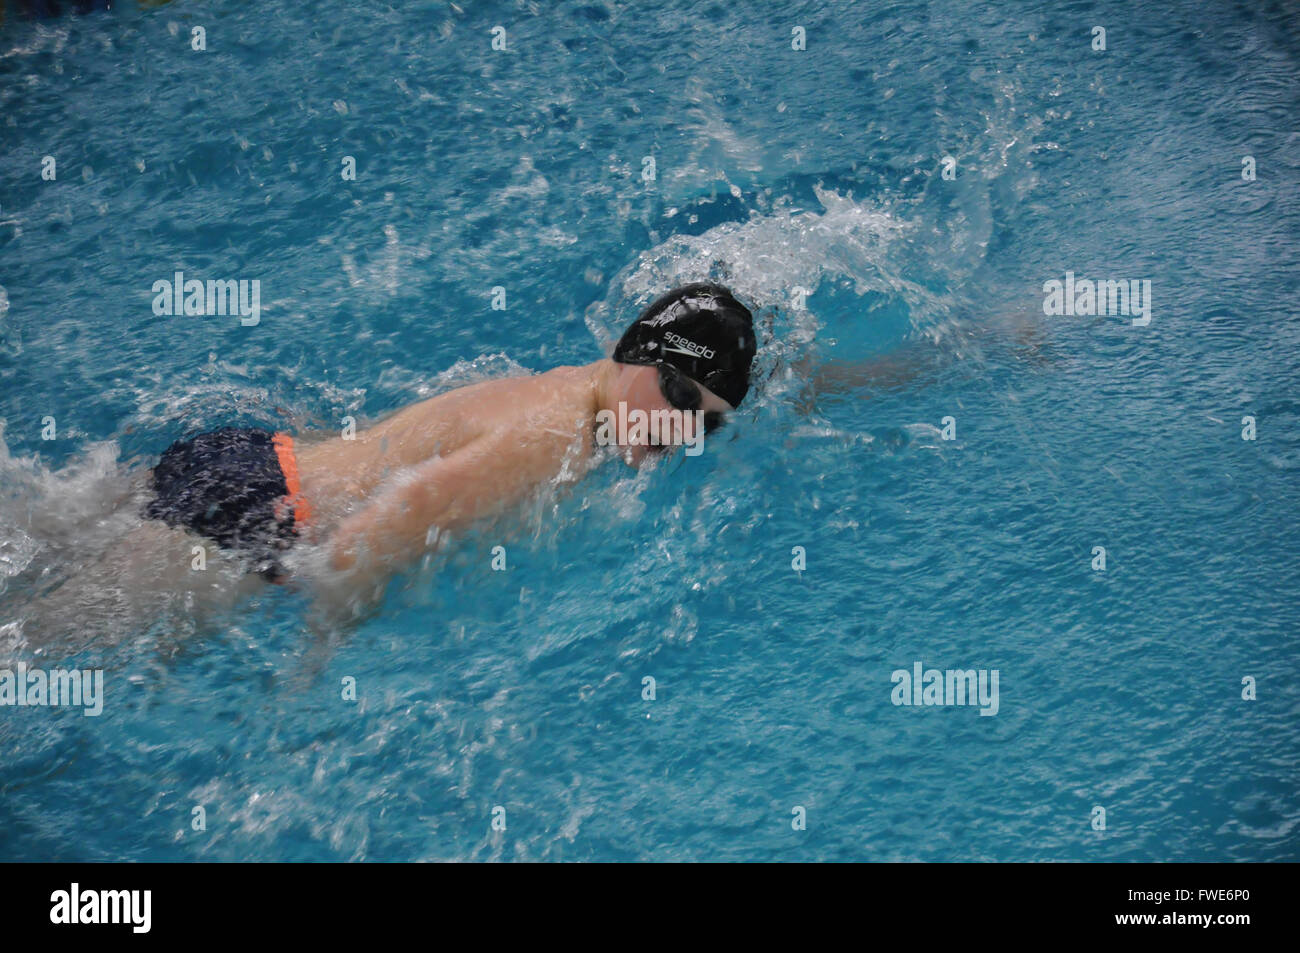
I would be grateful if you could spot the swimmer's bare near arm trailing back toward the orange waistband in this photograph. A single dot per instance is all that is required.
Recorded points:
(447, 493)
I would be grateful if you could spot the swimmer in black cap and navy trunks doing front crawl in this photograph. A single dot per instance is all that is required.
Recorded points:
(369, 505)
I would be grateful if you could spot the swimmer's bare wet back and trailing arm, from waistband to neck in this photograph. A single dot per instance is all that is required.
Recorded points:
(444, 463)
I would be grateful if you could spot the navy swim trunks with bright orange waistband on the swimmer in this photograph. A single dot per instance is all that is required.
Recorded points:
(237, 487)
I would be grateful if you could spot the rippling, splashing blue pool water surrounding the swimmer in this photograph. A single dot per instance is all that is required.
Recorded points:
(777, 170)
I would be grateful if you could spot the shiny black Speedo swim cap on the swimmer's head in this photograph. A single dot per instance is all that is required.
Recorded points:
(700, 330)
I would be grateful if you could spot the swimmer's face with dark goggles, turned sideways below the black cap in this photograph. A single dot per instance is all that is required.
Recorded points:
(662, 389)
